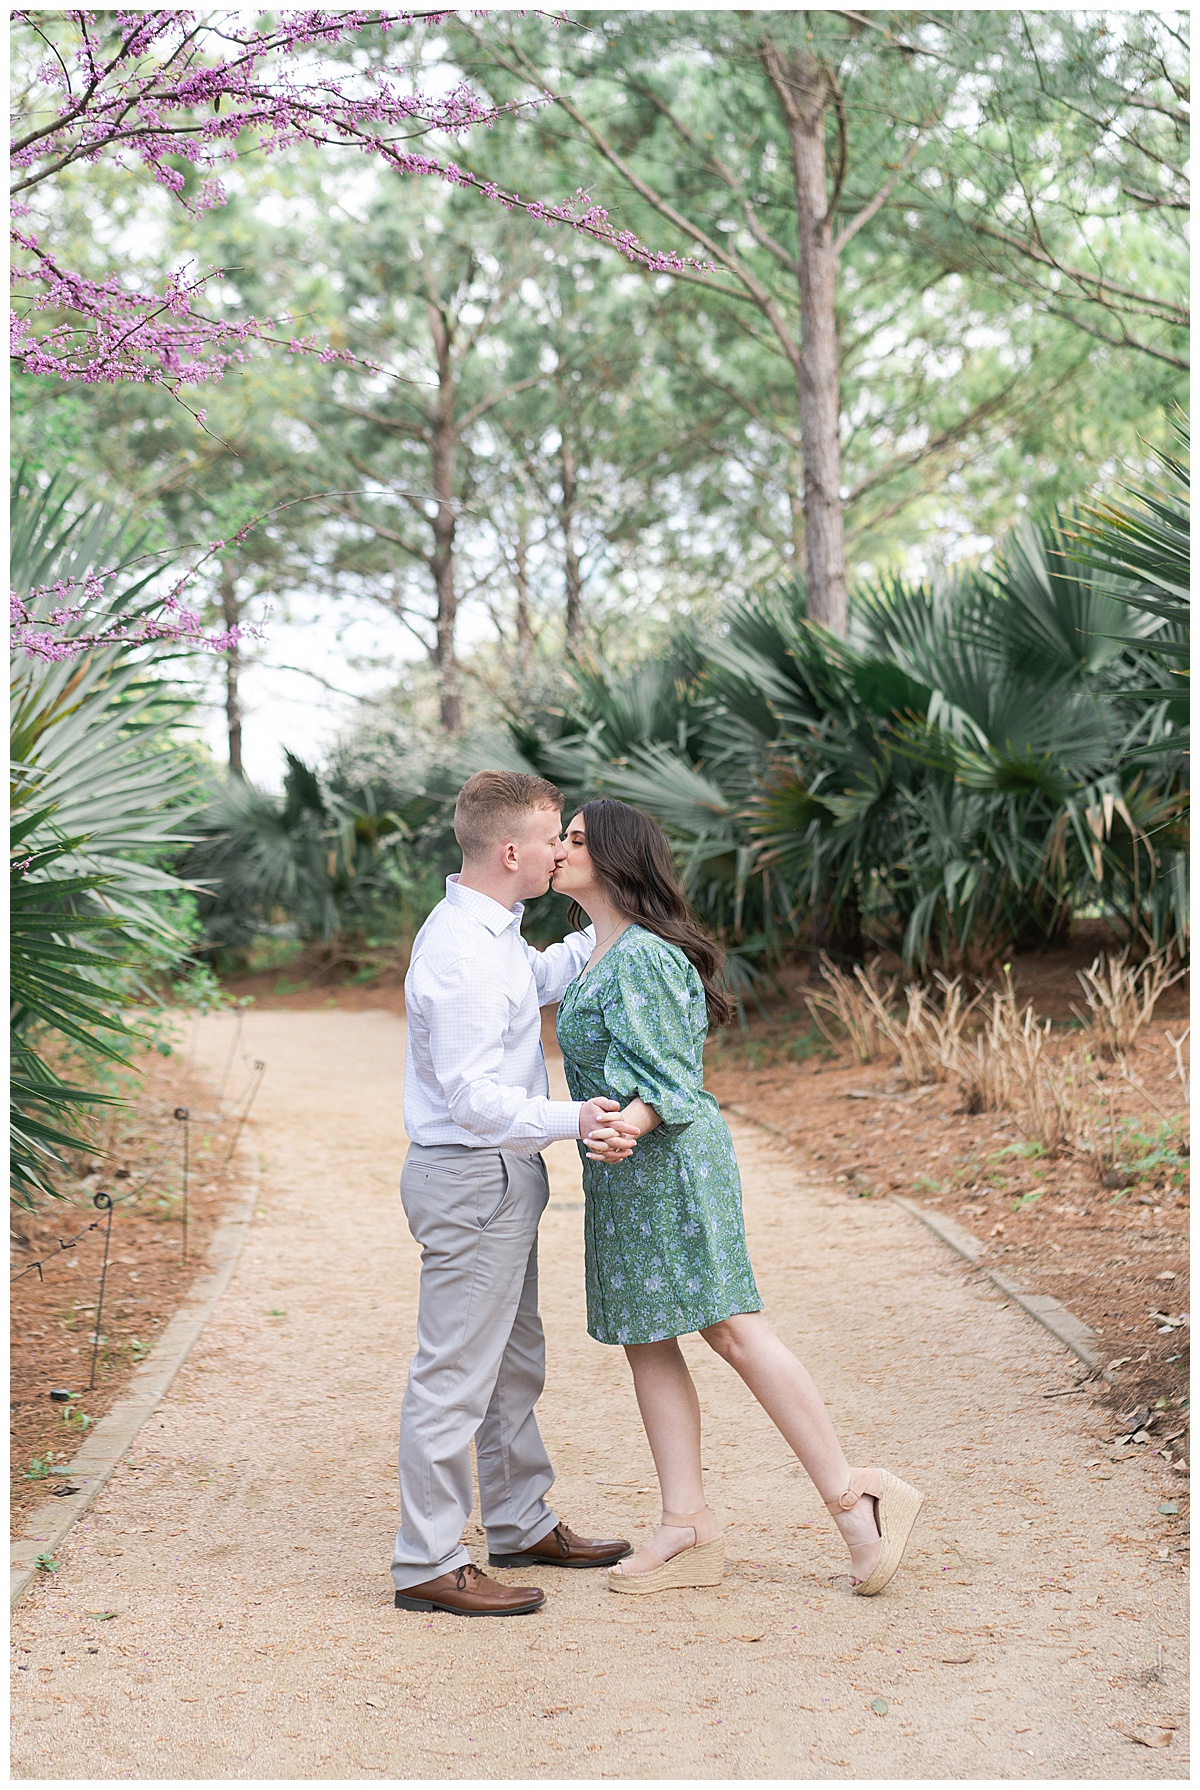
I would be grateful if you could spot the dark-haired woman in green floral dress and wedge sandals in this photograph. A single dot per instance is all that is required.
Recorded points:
(665, 1247)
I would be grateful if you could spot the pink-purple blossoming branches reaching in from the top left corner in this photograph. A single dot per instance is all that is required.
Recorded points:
(151, 99)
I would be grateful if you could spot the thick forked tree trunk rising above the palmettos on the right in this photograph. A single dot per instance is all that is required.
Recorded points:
(805, 94)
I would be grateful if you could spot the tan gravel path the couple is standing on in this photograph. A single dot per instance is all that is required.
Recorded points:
(244, 1547)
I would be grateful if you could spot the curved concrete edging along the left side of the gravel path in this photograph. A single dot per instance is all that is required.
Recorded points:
(51, 1522)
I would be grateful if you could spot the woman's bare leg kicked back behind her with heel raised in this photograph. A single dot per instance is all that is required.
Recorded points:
(787, 1394)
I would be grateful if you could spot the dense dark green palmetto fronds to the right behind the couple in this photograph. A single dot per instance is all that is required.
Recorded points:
(970, 769)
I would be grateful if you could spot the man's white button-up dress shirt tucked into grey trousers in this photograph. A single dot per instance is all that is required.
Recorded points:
(476, 1071)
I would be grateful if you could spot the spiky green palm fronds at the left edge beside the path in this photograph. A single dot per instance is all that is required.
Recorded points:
(98, 799)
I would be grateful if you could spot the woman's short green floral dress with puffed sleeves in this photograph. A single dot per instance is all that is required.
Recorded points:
(665, 1245)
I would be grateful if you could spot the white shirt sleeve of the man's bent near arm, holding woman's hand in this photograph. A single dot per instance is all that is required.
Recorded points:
(467, 1014)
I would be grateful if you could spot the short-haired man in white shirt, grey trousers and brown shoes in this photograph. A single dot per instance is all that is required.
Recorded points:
(477, 1112)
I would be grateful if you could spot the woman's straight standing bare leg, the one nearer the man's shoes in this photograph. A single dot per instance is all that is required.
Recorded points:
(671, 1413)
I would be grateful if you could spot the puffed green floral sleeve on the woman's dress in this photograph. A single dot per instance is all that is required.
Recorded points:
(655, 1053)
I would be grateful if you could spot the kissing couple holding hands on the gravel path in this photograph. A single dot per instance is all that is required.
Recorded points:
(665, 1243)
